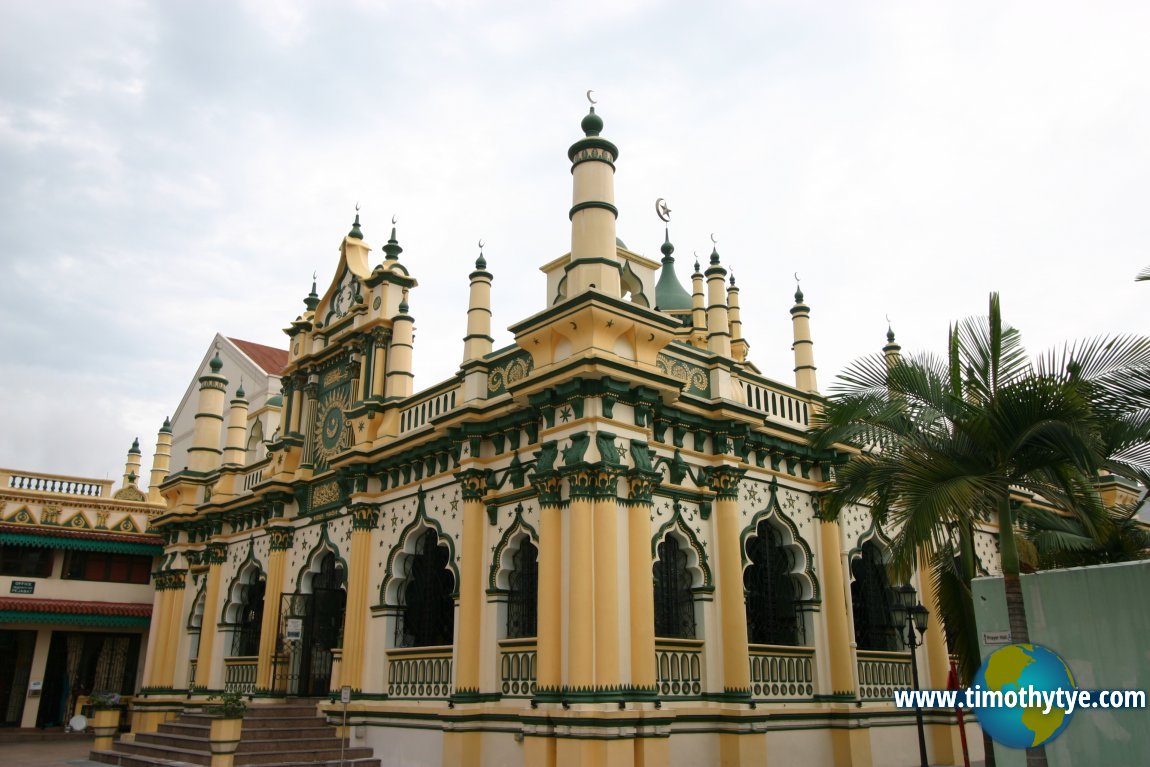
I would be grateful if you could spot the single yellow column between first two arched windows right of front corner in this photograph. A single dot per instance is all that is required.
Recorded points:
(737, 665)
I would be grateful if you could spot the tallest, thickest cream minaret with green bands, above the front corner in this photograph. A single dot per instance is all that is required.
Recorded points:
(594, 263)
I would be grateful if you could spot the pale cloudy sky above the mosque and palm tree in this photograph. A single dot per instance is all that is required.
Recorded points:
(174, 170)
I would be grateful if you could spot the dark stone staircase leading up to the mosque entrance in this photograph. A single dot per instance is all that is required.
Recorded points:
(288, 735)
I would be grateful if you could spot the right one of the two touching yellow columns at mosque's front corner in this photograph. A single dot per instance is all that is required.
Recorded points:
(607, 580)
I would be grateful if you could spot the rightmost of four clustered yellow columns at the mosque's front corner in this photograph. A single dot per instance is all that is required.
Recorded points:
(642, 595)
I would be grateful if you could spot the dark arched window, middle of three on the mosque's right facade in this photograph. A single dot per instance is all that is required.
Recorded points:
(773, 615)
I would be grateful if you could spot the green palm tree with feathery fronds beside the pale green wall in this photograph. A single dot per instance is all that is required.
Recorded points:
(947, 443)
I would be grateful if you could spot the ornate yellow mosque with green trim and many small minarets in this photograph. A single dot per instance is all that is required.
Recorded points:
(596, 547)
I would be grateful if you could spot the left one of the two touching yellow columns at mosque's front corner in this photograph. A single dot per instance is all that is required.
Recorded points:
(581, 580)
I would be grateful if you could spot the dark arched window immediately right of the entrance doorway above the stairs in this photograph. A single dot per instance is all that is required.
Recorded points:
(428, 615)
